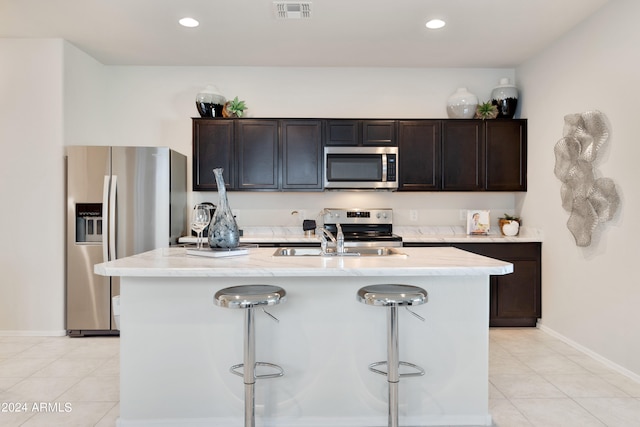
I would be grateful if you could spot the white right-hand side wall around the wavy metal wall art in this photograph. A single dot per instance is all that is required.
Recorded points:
(590, 295)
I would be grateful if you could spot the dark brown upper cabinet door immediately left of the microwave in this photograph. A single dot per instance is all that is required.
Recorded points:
(301, 154)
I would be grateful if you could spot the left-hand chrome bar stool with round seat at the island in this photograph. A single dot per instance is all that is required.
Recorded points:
(249, 297)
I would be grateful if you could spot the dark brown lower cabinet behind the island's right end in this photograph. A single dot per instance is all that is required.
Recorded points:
(516, 297)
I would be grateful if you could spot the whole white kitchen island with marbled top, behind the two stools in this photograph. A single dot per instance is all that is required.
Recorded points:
(177, 347)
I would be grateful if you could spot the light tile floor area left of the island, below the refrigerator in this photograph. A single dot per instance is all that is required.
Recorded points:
(59, 381)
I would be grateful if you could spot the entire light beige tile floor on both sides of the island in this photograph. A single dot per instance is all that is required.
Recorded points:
(535, 380)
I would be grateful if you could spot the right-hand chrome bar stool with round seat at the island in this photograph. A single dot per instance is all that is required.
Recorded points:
(393, 296)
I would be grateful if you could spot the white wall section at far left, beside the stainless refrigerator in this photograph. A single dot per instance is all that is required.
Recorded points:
(32, 186)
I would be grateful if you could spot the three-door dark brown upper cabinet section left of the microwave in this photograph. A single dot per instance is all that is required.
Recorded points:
(258, 154)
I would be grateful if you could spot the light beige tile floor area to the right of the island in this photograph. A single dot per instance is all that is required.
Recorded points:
(538, 380)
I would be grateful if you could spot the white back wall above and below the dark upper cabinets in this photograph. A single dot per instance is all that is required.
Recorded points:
(154, 106)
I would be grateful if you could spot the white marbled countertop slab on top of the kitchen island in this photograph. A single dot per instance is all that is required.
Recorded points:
(260, 262)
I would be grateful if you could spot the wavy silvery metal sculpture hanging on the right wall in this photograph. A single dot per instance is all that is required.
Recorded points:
(589, 200)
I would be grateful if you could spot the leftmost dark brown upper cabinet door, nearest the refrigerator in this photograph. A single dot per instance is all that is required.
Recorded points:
(212, 148)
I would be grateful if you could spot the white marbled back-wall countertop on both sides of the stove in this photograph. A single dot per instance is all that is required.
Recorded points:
(426, 234)
